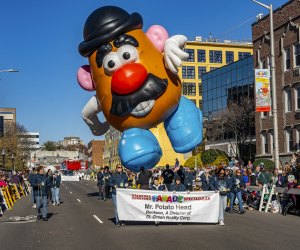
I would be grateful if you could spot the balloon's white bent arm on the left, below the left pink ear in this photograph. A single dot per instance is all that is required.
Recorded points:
(89, 115)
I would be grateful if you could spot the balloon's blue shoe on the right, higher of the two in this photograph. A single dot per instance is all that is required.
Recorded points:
(184, 127)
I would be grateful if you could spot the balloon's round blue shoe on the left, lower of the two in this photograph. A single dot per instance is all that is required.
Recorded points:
(137, 148)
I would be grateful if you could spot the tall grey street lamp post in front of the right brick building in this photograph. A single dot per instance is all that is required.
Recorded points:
(273, 81)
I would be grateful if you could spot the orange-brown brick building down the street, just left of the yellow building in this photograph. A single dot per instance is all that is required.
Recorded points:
(95, 152)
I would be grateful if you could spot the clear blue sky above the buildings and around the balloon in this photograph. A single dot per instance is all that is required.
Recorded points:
(40, 39)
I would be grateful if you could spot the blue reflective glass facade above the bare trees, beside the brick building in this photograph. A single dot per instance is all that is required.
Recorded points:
(227, 84)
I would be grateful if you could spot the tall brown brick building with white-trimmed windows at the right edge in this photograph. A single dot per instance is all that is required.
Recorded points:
(287, 62)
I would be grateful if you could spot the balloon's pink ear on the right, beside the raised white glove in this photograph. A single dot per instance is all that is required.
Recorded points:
(158, 35)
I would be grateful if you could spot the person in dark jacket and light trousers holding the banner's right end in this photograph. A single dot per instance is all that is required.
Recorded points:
(222, 185)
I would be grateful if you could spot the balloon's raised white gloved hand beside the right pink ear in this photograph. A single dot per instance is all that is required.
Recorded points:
(173, 52)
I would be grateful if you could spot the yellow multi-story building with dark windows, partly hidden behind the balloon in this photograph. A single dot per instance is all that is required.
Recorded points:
(204, 55)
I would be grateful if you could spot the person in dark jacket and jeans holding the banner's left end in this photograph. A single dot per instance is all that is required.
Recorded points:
(118, 180)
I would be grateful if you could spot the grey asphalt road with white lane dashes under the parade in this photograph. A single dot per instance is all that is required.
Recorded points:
(83, 222)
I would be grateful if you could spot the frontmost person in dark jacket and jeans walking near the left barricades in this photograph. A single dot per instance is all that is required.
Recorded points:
(40, 184)
